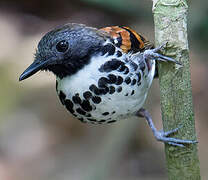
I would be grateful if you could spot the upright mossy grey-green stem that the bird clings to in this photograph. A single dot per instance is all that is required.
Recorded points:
(170, 18)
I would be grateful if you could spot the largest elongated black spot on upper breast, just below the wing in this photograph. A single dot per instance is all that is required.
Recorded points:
(109, 66)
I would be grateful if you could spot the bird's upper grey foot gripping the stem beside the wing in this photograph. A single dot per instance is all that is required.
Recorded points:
(152, 54)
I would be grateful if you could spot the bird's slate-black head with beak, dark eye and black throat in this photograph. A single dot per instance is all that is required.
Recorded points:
(65, 50)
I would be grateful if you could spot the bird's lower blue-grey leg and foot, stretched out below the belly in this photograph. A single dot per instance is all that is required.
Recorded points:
(161, 135)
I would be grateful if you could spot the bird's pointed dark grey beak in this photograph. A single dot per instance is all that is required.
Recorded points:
(32, 69)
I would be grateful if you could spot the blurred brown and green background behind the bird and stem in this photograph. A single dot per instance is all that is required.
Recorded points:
(39, 139)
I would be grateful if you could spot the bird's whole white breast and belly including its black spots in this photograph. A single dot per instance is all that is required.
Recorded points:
(97, 96)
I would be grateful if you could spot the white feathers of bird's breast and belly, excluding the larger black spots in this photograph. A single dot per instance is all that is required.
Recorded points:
(115, 106)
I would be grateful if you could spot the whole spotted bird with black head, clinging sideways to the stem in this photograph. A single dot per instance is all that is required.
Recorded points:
(102, 75)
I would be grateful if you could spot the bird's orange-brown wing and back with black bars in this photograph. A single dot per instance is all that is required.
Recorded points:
(127, 39)
